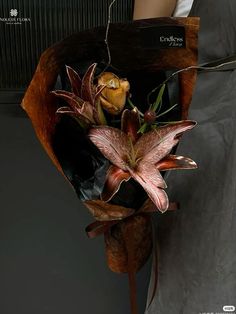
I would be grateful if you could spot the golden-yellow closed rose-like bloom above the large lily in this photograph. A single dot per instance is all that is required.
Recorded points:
(113, 96)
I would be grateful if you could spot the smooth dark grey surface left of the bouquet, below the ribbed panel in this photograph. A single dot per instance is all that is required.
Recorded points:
(47, 263)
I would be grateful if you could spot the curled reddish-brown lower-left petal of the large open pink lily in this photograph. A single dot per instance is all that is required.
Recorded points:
(115, 176)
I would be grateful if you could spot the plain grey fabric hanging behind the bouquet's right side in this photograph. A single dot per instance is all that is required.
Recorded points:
(197, 262)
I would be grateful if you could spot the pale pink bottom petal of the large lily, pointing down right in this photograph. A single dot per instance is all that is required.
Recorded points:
(156, 194)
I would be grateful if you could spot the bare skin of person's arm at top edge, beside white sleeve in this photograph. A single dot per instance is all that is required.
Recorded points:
(153, 8)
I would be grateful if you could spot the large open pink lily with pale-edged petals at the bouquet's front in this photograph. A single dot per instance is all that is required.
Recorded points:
(141, 158)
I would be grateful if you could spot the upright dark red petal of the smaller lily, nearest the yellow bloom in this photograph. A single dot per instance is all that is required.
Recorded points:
(87, 88)
